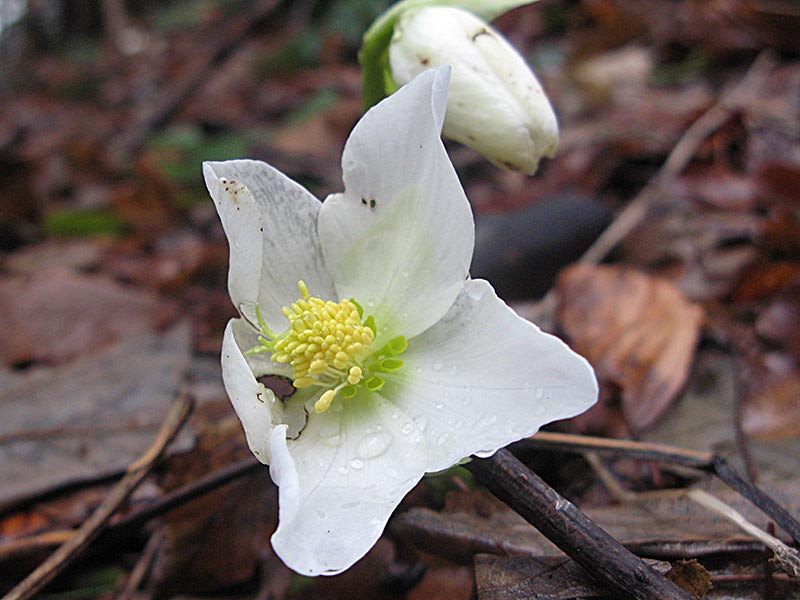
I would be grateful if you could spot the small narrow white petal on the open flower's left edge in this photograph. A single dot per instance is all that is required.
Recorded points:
(256, 406)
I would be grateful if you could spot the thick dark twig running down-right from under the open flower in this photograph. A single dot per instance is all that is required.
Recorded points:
(571, 530)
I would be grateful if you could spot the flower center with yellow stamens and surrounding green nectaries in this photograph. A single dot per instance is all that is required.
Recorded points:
(328, 345)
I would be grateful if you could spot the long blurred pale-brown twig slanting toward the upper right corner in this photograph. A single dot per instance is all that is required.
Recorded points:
(680, 156)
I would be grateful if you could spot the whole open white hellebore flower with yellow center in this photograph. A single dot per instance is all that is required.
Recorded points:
(403, 364)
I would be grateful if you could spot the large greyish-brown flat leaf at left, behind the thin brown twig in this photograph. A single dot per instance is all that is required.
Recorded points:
(91, 417)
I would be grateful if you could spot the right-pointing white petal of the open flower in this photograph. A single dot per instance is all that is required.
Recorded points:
(483, 377)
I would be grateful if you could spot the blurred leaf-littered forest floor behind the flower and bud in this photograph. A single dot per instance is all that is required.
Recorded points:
(113, 263)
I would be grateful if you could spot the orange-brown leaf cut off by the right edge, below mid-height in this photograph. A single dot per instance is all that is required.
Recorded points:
(774, 412)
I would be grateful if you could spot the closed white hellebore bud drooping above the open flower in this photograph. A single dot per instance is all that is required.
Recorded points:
(496, 105)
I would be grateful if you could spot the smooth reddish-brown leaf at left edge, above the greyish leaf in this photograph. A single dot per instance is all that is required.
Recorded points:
(56, 315)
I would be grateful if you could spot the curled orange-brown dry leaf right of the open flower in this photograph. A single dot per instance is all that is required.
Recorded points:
(638, 332)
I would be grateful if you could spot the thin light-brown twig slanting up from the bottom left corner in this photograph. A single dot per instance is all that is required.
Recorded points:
(93, 526)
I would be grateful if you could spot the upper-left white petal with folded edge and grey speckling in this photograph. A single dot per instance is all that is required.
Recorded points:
(271, 224)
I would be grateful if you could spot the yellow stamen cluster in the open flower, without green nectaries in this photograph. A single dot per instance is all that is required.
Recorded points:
(324, 344)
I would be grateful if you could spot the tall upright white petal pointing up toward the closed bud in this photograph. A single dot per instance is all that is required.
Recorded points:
(399, 239)
